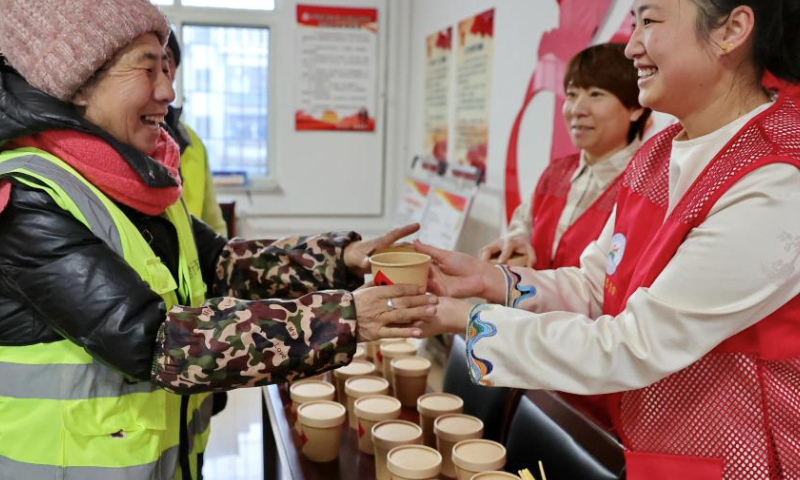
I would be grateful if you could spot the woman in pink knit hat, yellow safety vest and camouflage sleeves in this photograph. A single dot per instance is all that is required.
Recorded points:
(118, 311)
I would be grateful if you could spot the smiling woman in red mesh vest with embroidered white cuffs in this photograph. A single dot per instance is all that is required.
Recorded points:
(695, 280)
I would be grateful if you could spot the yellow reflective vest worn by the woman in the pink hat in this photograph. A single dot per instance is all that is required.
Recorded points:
(63, 414)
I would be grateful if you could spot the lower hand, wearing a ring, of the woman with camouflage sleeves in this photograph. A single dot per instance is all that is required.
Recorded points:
(392, 311)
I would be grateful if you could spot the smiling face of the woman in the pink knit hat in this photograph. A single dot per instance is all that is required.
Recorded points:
(130, 99)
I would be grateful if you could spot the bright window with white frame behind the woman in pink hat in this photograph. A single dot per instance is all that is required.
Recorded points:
(223, 79)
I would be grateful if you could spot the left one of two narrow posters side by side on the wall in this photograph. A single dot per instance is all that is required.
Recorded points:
(438, 52)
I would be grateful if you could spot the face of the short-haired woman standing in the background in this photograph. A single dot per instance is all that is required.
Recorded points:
(597, 120)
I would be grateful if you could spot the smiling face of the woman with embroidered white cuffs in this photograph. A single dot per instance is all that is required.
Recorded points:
(676, 66)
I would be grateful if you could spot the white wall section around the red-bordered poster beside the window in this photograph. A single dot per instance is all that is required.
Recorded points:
(326, 180)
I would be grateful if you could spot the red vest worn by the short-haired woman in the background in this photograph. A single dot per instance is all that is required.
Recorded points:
(547, 205)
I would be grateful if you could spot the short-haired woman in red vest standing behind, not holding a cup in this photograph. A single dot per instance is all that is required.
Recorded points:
(575, 194)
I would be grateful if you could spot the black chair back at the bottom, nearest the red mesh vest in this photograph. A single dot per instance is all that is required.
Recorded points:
(545, 428)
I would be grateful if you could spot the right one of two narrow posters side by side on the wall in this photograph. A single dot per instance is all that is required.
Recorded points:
(474, 60)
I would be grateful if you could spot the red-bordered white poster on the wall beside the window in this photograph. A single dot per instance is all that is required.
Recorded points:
(337, 68)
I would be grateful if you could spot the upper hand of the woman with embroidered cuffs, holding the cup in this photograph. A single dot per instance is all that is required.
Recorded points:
(455, 274)
